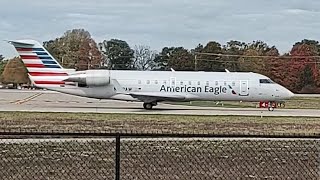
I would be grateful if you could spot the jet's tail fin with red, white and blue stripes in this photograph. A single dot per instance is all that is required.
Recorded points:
(43, 69)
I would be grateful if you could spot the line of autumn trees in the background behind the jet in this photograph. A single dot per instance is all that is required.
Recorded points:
(298, 70)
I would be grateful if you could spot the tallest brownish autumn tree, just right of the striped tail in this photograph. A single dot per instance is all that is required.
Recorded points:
(75, 49)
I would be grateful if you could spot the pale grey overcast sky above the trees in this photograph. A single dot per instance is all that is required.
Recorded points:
(159, 23)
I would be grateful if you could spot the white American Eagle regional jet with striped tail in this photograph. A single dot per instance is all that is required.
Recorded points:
(149, 87)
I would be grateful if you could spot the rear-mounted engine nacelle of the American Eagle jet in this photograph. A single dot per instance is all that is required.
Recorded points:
(90, 78)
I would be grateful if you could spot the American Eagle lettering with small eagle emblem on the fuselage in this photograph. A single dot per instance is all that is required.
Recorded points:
(216, 90)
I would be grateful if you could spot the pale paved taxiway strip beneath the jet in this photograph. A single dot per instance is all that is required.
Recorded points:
(47, 101)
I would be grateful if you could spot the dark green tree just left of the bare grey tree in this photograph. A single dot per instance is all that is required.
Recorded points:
(118, 54)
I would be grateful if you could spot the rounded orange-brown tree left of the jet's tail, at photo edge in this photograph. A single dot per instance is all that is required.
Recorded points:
(15, 73)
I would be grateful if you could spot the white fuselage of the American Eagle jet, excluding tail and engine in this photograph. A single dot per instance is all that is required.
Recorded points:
(210, 86)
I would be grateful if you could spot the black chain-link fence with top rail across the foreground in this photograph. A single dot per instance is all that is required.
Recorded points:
(32, 155)
